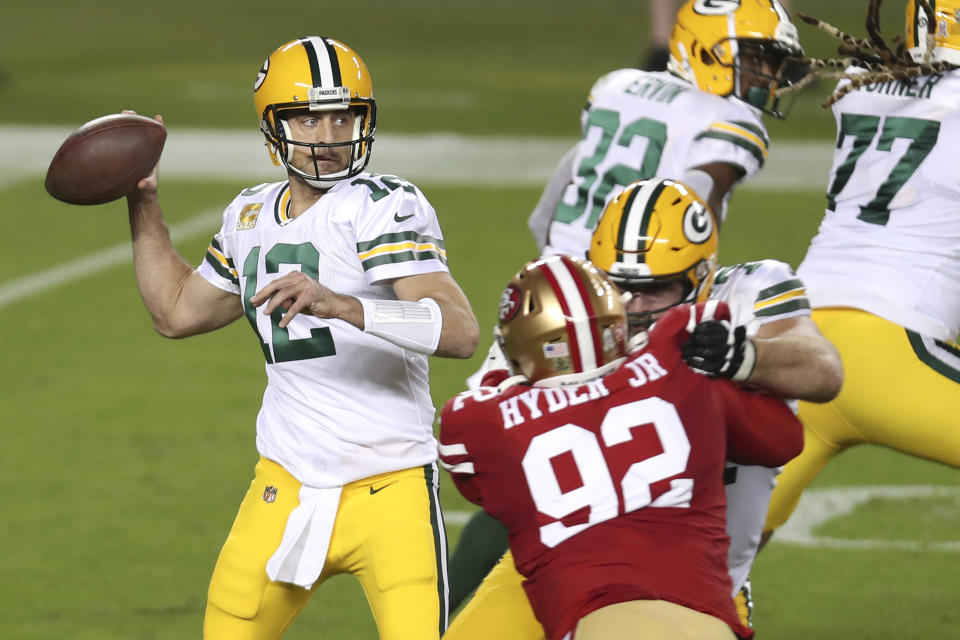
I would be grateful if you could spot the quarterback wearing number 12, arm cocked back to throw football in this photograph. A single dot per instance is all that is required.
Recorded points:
(344, 484)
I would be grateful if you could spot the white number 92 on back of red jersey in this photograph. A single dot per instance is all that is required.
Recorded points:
(590, 457)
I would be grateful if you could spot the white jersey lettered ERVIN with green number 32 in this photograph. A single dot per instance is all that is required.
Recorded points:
(641, 124)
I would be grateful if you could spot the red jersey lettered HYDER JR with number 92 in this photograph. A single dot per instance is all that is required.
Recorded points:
(612, 490)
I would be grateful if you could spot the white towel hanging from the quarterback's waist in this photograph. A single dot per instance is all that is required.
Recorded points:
(306, 539)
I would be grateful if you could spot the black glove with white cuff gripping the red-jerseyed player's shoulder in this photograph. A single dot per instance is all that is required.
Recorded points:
(717, 349)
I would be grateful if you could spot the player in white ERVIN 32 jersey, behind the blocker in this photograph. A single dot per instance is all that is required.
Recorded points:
(700, 124)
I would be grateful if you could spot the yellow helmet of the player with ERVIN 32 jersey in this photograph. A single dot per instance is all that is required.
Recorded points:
(712, 38)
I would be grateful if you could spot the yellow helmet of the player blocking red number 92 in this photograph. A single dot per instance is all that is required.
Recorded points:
(657, 231)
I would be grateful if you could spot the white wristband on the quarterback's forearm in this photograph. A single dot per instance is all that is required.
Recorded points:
(409, 325)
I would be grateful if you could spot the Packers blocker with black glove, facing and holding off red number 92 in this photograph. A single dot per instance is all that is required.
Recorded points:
(658, 242)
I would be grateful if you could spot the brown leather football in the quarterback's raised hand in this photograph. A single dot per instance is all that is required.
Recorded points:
(104, 159)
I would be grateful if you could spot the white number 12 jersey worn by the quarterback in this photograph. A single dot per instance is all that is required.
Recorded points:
(340, 404)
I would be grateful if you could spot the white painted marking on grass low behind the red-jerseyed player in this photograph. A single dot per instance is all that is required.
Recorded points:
(819, 506)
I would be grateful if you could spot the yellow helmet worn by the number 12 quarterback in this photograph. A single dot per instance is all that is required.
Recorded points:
(315, 74)
